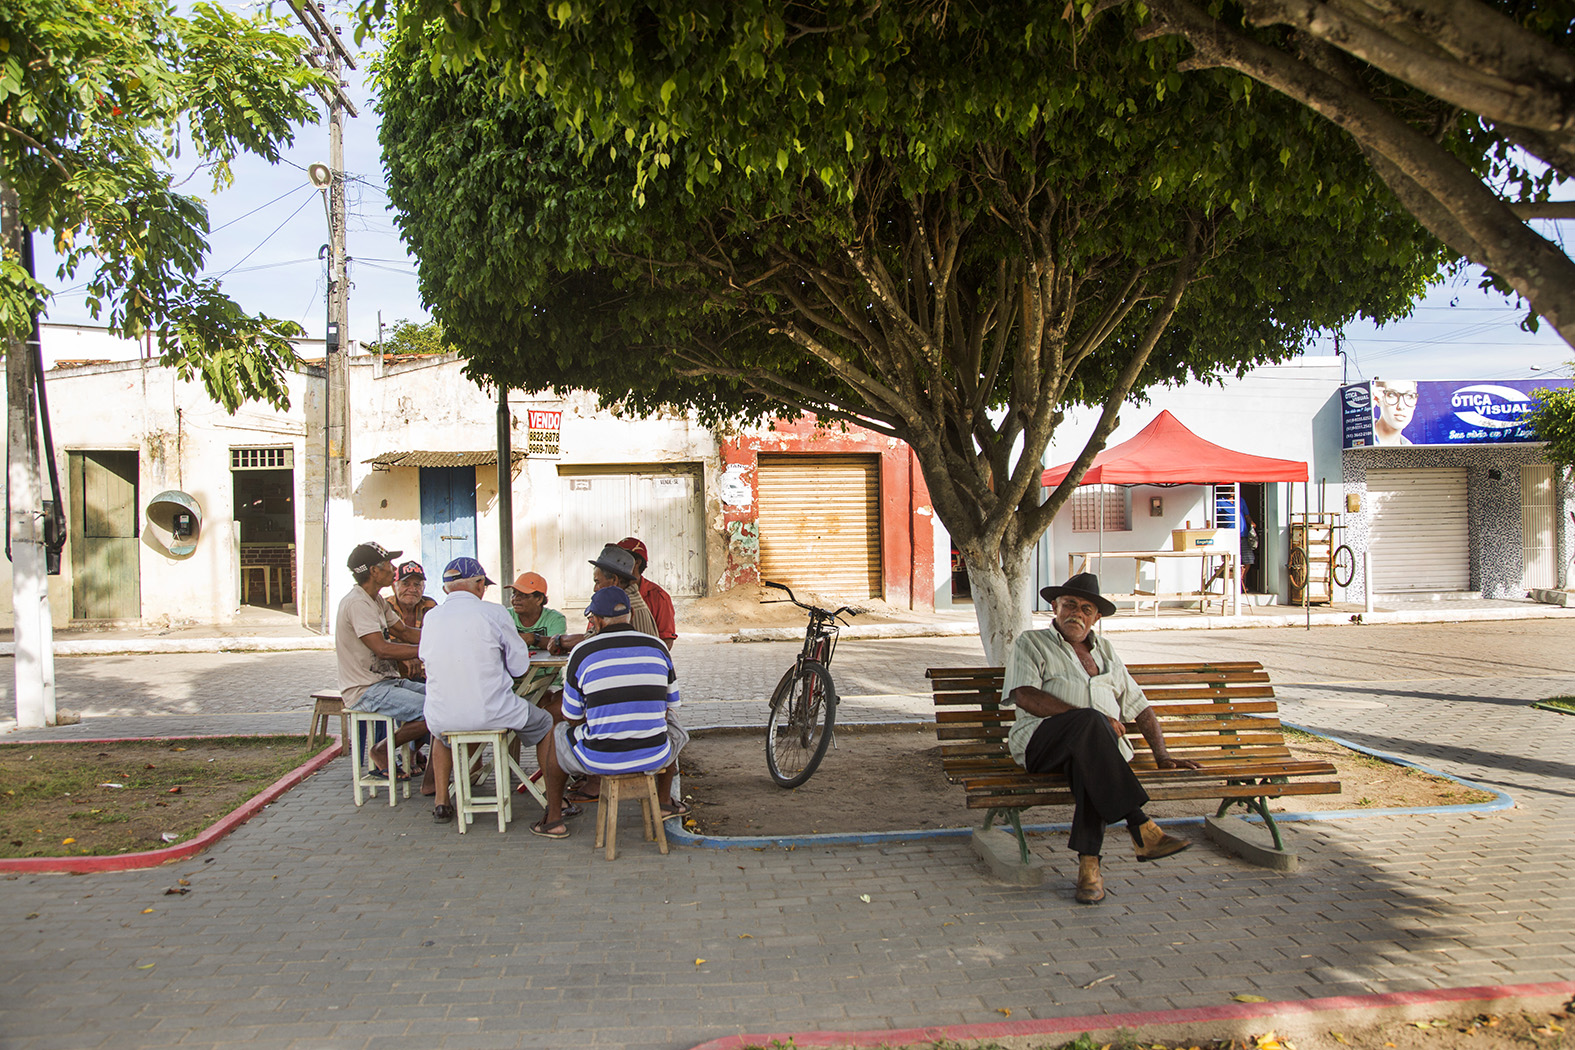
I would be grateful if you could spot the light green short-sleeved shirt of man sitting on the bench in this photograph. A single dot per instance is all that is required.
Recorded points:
(1047, 662)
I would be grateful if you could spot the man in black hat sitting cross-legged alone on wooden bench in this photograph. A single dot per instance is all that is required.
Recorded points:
(1073, 695)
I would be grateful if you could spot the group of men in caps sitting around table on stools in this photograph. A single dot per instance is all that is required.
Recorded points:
(467, 665)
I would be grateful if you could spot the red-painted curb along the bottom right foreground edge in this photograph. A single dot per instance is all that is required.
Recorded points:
(1105, 1022)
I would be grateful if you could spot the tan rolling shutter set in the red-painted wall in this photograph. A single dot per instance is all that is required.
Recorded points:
(820, 519)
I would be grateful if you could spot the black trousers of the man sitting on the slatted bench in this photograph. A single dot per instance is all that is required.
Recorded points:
(1081, 745)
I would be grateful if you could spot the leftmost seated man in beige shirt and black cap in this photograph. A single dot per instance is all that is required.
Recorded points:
(368, 640)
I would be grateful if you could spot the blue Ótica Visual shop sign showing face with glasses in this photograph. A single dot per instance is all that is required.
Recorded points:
(1401, 413)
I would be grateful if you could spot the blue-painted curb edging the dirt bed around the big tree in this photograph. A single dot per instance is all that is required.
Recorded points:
(878, 838)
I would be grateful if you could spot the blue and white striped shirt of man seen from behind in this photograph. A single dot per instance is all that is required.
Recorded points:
(623, 684)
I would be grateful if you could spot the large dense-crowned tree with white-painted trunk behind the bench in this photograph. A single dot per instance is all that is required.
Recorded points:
(946, 229)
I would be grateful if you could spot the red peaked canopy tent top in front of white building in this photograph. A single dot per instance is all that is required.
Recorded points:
(1165, 453)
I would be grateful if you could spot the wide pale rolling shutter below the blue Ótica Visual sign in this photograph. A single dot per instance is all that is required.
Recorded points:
(1420, 531)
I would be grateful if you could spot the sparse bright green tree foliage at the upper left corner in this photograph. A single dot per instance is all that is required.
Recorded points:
(97, 98)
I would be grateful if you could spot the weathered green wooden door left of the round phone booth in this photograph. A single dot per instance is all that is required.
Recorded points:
(105, 556)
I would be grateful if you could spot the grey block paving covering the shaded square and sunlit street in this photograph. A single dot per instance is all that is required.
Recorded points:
(325, 926)
